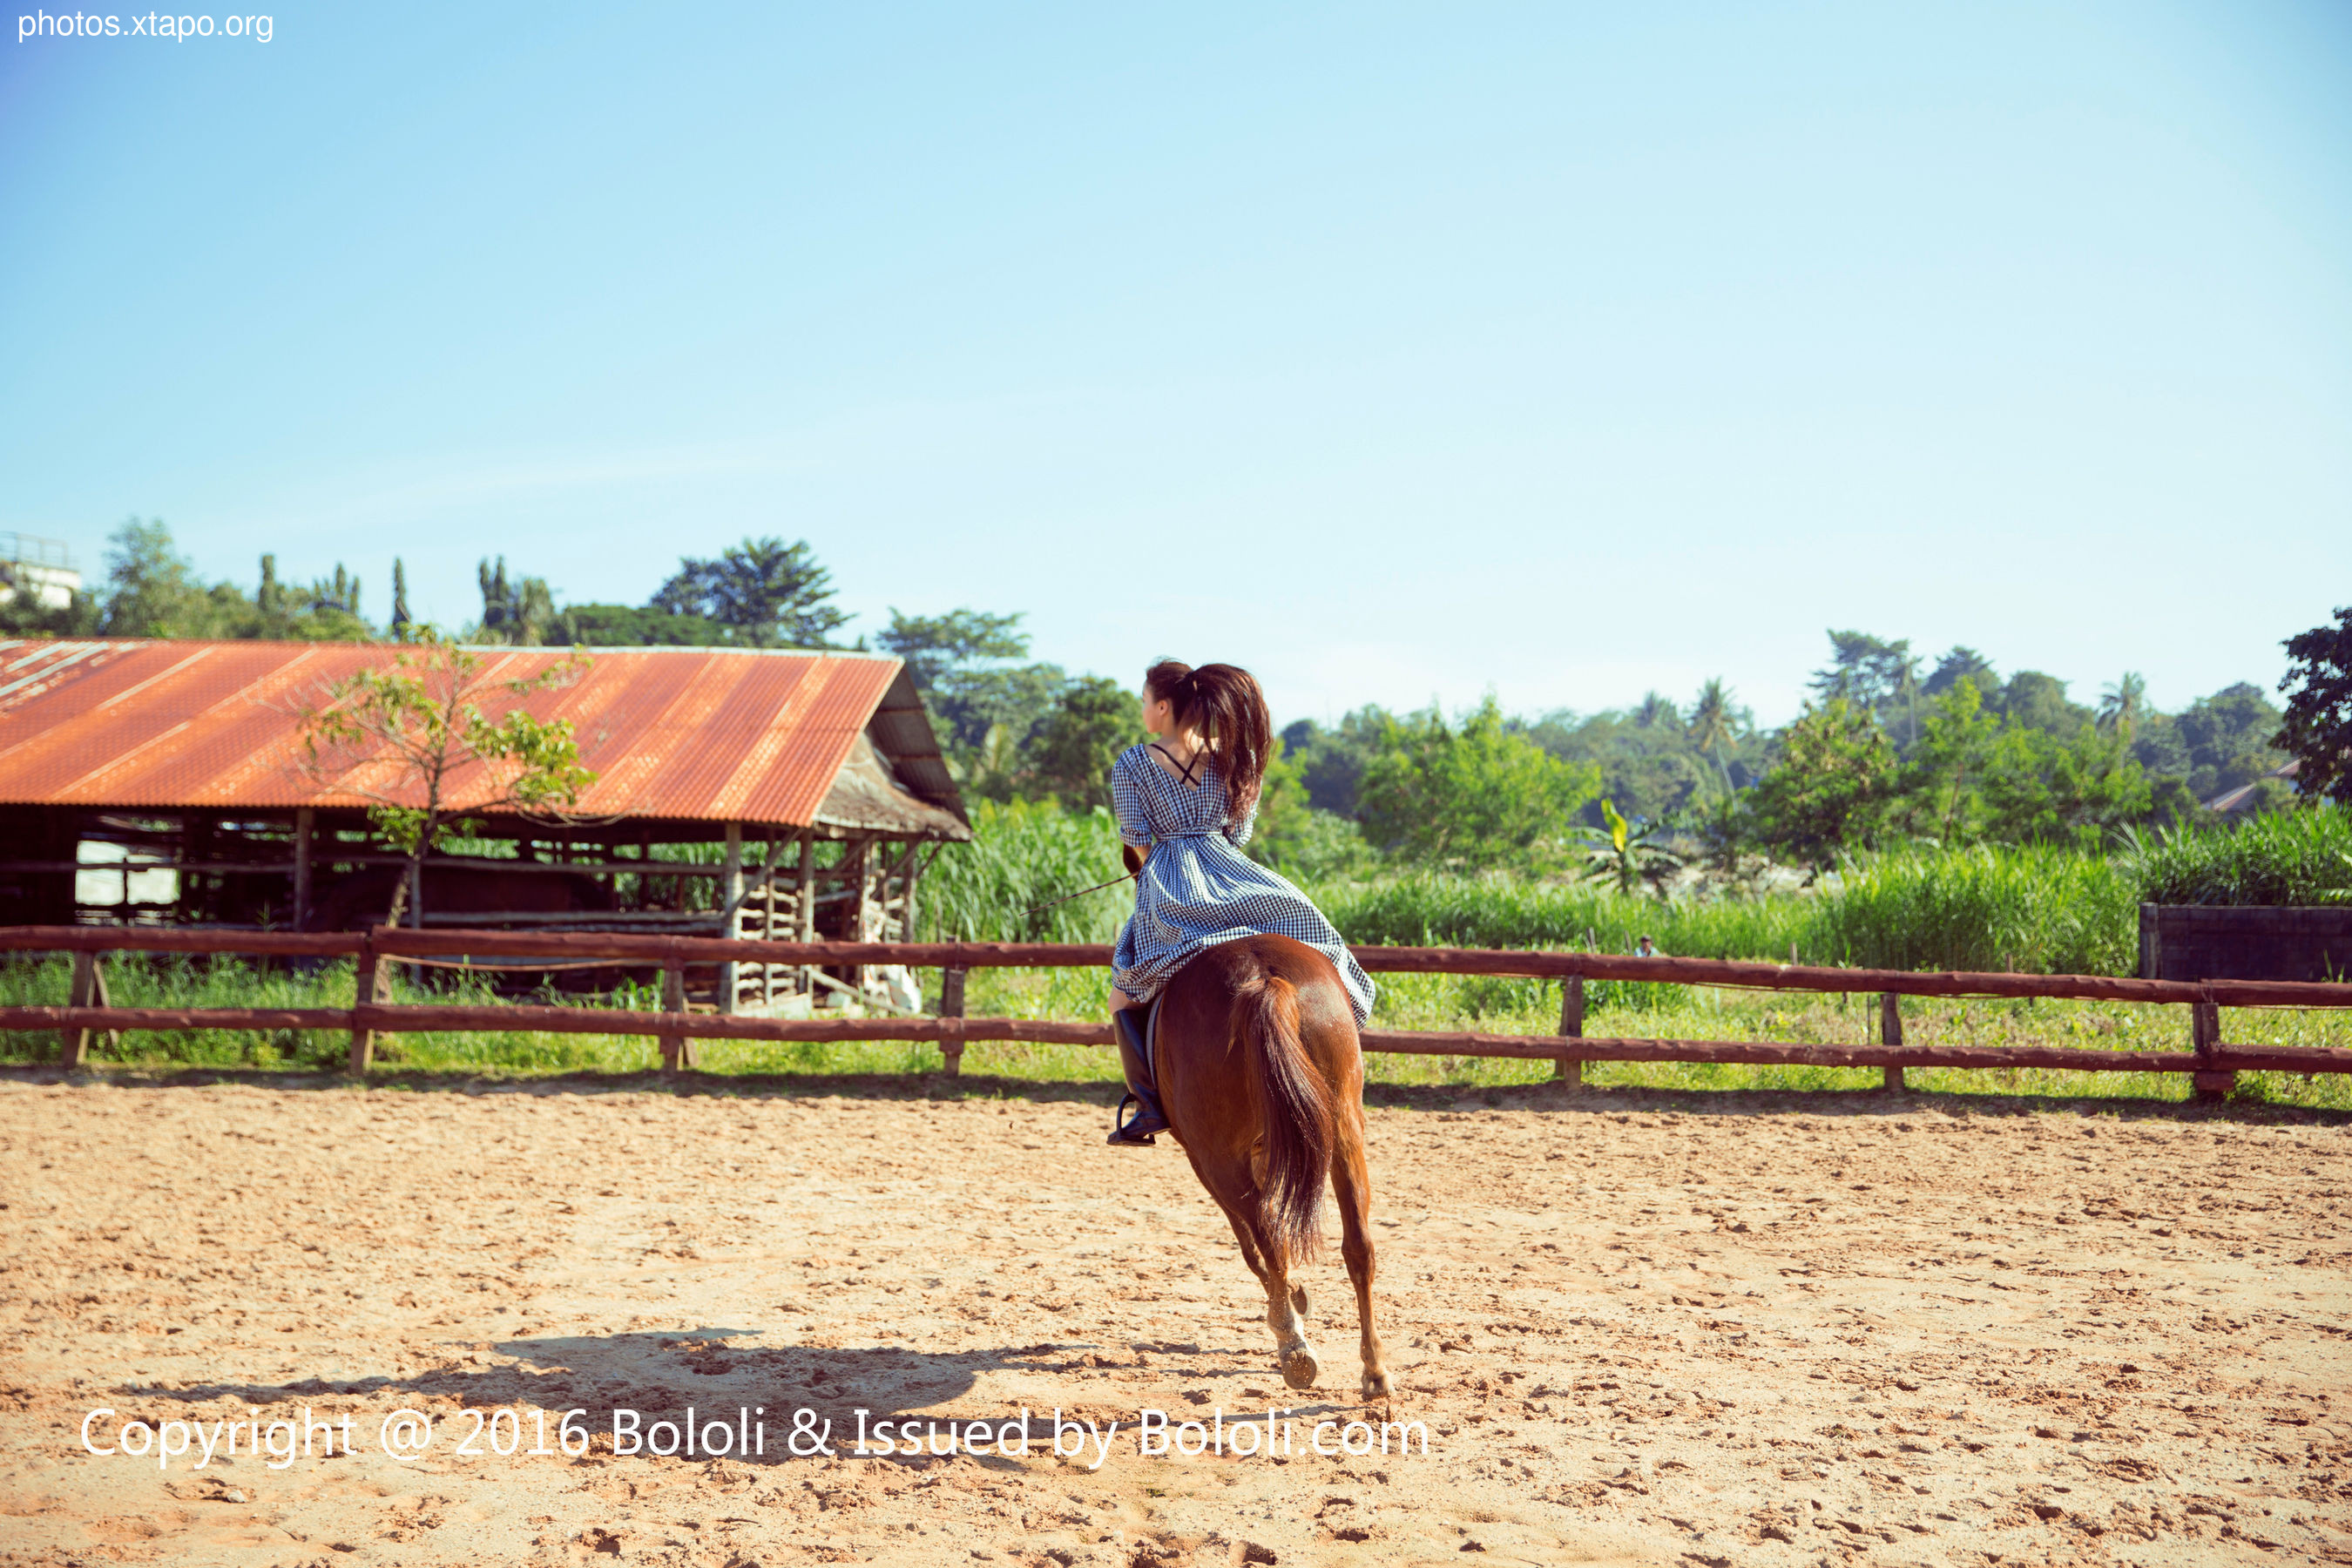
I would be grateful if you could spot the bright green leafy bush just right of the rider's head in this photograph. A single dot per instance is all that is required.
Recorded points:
(1471, 796)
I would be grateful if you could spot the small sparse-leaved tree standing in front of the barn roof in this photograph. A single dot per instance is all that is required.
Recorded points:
(417, 746)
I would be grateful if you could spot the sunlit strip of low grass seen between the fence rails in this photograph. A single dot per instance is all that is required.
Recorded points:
(1408, 1003)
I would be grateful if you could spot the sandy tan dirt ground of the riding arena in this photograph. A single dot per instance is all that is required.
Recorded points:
(1645, 1329)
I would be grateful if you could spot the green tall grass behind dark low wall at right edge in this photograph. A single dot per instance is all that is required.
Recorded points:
(2271, 859)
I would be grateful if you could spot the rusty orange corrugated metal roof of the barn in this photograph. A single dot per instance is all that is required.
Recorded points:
(704, 735)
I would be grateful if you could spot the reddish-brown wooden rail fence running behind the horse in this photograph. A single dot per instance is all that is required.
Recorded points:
(2210, 1061)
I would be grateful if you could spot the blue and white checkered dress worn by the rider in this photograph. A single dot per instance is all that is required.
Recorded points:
(1198, 887)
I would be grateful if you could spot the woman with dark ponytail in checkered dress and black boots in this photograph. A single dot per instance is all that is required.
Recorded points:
(1189, 800)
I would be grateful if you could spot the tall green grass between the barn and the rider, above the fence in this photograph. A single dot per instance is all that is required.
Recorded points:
(1022, 857)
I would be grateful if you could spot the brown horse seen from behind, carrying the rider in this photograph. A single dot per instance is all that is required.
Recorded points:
(1262, 1080)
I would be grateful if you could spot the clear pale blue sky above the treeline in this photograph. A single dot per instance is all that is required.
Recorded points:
(1396, 354)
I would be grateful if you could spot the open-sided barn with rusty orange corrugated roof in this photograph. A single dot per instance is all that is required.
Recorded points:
(740, 793)
